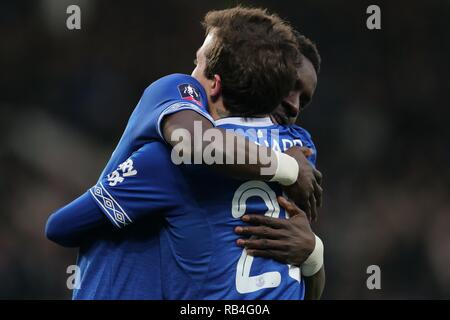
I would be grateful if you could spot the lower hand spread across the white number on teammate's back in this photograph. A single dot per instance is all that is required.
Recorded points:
(289, 241)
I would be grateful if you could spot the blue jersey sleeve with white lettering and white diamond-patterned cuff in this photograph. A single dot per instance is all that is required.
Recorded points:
(147, 183)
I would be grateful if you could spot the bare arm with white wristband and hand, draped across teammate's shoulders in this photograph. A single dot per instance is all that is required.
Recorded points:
(300, 180)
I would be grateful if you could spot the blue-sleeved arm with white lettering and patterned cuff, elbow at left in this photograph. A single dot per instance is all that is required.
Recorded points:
(145, 184)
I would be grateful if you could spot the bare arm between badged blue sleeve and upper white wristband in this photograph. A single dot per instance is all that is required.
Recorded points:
(191, 135)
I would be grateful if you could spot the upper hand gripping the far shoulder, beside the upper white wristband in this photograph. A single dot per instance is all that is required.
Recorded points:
(306, 192)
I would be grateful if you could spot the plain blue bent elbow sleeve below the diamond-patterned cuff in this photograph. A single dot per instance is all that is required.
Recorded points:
(75, 222)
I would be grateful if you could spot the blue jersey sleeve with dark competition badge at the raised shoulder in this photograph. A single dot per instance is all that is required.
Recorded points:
(166, 96)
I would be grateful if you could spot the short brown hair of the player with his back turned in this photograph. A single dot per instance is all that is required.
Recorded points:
(256, 55)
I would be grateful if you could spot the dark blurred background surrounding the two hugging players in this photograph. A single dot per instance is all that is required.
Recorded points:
(379, 119)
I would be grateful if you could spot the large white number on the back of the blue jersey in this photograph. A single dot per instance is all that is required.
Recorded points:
(244, 282)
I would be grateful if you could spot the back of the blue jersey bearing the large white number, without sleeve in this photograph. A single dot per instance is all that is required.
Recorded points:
(232, 274)
